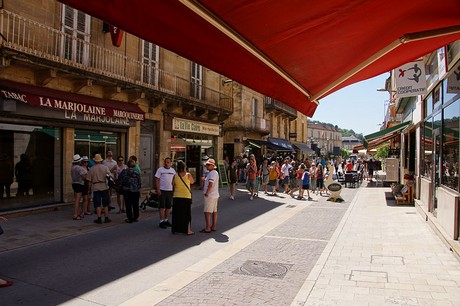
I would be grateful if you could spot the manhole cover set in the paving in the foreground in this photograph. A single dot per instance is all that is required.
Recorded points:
(263, 269)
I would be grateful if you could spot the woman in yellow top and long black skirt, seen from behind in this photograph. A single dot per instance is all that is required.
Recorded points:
(182, 200)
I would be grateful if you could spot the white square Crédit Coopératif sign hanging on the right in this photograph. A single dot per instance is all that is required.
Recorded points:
(410, 79)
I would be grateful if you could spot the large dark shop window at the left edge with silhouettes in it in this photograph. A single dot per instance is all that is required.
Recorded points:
(29, 171)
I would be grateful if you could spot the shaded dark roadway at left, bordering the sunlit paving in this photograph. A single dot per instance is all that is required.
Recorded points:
(107, 254)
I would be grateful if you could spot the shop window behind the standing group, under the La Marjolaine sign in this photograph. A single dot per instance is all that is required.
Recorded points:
(95, 142)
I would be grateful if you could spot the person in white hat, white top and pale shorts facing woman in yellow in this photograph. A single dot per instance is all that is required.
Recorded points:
(211, 197)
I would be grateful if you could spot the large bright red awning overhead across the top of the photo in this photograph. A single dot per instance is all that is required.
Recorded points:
(294, 51)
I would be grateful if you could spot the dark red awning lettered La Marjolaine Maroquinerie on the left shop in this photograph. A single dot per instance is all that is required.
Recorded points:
(70, 102)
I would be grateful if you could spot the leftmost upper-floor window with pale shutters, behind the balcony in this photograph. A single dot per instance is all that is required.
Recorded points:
(76, 28)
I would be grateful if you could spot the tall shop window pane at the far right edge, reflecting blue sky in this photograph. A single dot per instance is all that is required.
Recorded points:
(450, 148)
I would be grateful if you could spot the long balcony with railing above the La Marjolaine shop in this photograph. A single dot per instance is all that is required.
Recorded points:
(37, 43)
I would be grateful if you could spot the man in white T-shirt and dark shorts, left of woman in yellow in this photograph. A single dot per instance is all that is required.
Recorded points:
(164, 177)
